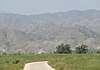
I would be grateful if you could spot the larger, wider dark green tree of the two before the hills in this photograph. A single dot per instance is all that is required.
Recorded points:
(63, 48)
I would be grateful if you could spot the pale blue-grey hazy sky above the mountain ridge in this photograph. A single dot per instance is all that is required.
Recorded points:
(43, 6)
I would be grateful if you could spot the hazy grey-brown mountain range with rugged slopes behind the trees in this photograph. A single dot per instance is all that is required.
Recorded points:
(33, 33)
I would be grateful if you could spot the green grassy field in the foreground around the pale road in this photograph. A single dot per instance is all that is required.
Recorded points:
(57, 61)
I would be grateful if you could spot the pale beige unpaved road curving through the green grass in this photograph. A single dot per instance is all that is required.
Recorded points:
(38, 66)
